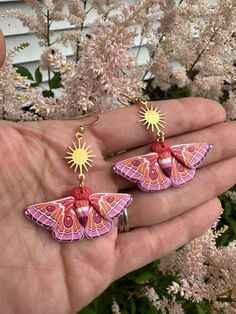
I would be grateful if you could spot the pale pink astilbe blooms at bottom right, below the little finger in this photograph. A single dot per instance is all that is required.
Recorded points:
(205, 271)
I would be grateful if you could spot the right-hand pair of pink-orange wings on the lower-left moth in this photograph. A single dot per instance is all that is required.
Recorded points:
(104, 208)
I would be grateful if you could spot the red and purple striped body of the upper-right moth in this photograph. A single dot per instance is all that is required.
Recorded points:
(164, 155)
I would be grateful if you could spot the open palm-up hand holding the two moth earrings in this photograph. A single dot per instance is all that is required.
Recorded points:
(38, 274)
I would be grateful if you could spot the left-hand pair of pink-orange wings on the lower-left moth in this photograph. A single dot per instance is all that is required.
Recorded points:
(58, 216)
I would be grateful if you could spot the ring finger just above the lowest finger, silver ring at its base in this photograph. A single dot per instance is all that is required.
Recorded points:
(152, 208)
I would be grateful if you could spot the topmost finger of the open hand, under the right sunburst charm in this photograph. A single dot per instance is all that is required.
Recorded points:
(119, 129)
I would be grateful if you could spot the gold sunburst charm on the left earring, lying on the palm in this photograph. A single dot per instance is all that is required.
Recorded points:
(80, 157)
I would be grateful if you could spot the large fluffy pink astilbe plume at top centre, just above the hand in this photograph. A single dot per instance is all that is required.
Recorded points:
(104, 71)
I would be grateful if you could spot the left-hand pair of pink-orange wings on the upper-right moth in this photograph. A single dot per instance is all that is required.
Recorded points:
(145, 171)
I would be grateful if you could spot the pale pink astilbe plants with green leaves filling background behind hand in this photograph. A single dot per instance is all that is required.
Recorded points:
(191, 46)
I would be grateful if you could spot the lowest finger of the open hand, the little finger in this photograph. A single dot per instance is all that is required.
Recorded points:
(144, 245)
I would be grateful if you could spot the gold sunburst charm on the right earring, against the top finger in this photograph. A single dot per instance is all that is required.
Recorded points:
(152, 117)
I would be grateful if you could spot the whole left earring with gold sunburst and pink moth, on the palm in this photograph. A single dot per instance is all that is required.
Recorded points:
(80, 214)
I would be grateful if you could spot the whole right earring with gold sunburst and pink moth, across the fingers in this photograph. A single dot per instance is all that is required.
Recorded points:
(165, 165)
